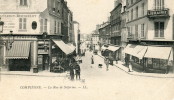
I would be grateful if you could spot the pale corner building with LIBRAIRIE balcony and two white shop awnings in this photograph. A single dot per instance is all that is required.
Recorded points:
(150, 27)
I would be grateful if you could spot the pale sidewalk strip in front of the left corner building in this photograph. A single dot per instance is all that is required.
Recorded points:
(39, 74)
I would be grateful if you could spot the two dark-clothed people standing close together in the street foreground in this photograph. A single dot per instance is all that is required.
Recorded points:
(74, 70)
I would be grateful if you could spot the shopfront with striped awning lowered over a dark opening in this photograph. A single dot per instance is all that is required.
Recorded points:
(19, 57)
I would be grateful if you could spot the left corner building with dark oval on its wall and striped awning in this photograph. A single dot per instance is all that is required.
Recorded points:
(37, 34)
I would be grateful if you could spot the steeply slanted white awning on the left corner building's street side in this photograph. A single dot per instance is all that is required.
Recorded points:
(64, 47)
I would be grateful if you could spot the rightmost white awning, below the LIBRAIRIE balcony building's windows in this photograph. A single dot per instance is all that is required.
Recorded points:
(158, 52)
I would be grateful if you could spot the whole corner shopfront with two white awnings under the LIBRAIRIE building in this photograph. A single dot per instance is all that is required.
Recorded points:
(149, 58)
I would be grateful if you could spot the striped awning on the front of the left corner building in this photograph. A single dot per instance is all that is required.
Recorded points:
(19, 50)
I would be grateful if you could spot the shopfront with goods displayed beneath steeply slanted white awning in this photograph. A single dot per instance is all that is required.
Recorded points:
(62, 53)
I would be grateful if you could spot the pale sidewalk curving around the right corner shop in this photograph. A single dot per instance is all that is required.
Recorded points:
(121, 66)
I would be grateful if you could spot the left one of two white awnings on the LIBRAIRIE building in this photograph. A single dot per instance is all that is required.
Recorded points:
(136, 50)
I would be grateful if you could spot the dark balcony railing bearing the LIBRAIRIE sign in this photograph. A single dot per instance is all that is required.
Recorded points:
(158, 13)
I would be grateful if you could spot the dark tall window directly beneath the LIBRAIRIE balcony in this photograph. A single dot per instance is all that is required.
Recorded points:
(159, 29)
